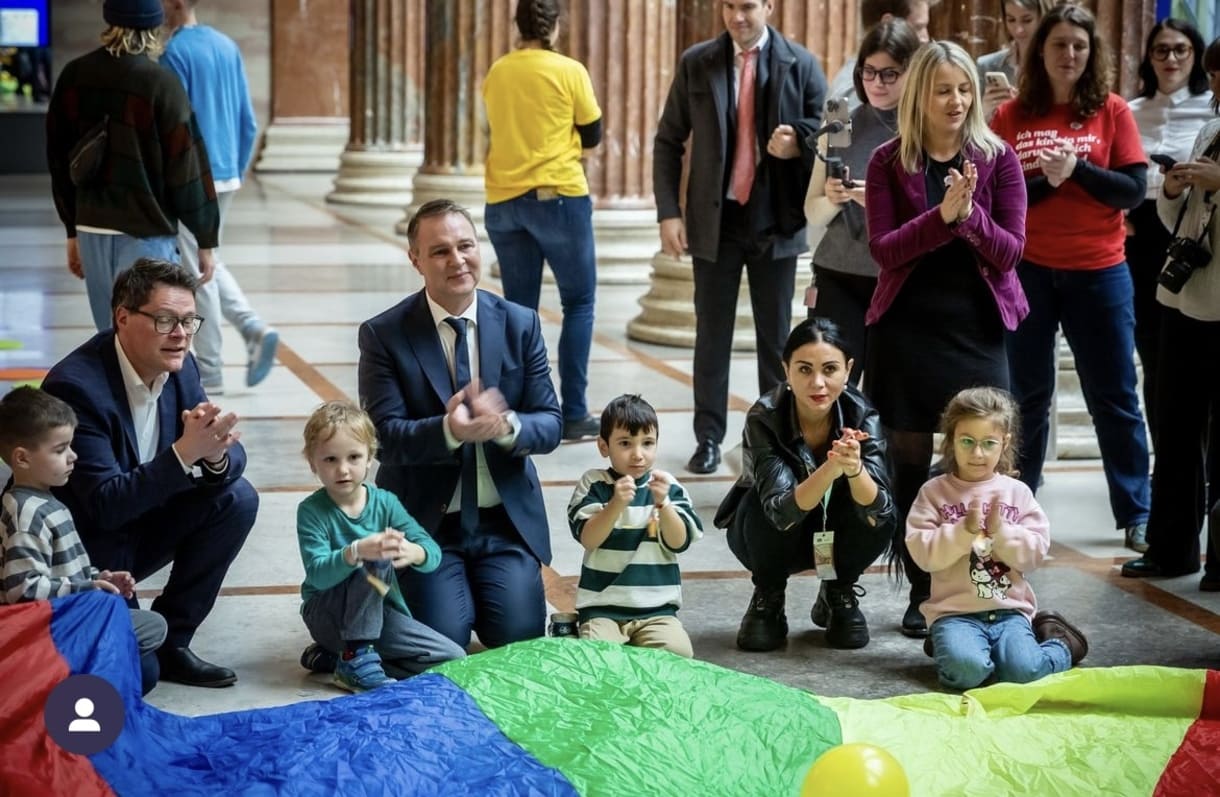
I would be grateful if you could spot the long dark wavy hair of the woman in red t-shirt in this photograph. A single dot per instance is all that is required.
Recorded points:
(1089, 96)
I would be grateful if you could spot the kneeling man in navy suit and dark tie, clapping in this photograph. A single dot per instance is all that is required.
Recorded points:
(458, 384)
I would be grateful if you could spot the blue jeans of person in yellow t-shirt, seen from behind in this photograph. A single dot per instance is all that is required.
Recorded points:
(526, 231)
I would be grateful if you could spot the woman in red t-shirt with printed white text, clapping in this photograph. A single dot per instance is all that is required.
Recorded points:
(1084, 165)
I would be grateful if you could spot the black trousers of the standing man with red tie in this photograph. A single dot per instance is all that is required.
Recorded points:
(717, 285)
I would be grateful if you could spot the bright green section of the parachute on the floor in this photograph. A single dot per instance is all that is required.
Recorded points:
(620, 721)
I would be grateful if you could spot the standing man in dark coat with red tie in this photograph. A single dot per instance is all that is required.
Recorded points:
(751, 98)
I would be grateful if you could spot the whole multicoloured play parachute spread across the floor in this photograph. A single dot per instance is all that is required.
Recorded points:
(562, 717)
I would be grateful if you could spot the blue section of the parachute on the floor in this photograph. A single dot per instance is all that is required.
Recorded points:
(422, 737)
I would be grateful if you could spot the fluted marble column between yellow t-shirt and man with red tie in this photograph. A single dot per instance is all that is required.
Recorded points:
(631, 91)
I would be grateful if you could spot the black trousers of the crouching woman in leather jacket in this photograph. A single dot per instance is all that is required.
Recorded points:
(773, 555)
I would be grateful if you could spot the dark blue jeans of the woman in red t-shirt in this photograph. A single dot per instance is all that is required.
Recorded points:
(1096, 312)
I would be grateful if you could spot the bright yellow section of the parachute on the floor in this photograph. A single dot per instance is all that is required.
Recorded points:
(1086, 732)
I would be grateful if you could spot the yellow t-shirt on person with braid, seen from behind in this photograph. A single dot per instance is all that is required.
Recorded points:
(535, 101)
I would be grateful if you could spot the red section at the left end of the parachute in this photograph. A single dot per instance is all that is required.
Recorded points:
(31, 763)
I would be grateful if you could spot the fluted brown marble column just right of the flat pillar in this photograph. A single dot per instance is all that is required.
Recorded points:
(386, 141)
